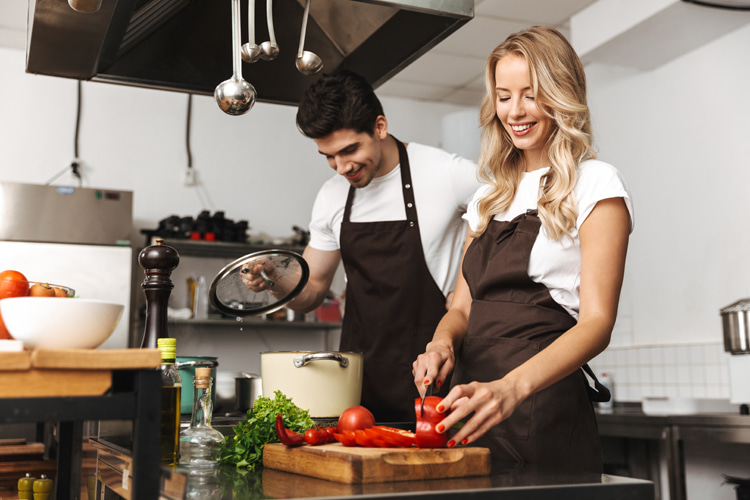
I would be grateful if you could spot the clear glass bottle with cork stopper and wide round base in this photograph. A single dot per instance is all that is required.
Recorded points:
(200, 444)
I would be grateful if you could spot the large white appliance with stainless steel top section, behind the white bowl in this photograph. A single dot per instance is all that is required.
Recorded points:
(77, 237)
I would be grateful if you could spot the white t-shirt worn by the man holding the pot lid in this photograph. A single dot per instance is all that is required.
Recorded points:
(443, 184)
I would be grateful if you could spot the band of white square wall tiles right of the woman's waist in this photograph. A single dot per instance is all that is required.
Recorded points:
(697, 370)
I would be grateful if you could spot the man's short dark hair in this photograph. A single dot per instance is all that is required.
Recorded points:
(343, 100)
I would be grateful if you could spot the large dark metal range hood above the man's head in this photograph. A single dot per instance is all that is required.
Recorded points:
(186, 45)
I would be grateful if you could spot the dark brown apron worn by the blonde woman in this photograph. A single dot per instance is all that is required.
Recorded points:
(512, 318)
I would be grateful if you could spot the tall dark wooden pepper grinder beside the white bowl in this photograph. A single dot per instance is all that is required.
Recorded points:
(158, 261)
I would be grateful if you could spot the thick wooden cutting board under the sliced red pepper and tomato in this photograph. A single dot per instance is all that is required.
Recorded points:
(350, 464)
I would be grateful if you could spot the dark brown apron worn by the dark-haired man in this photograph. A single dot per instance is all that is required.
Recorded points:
(392, 303)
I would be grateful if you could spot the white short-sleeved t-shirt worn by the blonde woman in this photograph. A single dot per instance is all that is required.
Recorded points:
(557, 263)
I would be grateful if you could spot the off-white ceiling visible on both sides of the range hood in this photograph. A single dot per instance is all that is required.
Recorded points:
(451, 72)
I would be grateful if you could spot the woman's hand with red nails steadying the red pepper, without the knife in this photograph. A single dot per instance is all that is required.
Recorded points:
(490, 403)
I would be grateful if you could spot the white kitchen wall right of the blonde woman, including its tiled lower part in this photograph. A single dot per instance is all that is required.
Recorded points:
(679, 135)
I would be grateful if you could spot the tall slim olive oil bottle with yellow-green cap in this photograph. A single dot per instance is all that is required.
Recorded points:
(171, 385)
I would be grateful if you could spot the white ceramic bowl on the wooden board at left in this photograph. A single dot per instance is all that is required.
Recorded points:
(60, 323)
